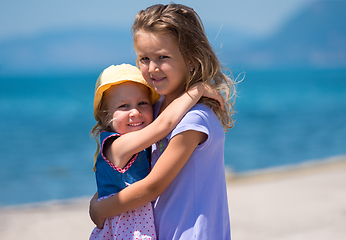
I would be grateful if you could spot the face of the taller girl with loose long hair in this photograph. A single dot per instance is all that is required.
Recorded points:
(161, 63)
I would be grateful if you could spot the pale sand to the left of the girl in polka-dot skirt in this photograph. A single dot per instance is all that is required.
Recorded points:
(56, 220)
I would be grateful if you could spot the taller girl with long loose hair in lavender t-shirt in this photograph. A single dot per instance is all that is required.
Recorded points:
(187, 181)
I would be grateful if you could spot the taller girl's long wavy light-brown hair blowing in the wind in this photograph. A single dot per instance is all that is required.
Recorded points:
(183, 24)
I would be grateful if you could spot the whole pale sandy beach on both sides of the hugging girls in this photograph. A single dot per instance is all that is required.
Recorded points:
(307, 201)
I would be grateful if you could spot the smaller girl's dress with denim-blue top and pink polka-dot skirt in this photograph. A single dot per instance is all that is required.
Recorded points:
(136, 224)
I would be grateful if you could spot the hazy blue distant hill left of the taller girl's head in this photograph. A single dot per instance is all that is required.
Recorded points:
(67, 51)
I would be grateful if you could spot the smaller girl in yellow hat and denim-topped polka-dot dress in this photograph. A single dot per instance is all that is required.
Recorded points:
(123, 109)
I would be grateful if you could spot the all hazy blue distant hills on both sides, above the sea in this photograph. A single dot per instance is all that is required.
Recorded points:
(314, 37)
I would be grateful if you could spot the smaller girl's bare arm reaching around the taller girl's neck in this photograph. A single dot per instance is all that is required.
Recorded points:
(123, 148)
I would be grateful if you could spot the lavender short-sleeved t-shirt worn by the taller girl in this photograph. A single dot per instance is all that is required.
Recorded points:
(195, 206)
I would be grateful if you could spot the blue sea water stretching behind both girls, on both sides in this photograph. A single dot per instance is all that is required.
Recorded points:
(283, 118)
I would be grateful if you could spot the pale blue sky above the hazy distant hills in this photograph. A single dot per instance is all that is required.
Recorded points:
(19, 18)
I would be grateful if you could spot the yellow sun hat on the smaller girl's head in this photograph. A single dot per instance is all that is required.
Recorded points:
(115, 75)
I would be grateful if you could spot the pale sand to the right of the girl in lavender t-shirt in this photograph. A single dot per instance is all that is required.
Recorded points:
(299, 204)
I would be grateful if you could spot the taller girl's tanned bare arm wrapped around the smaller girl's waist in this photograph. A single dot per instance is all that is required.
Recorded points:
(172, 160)
